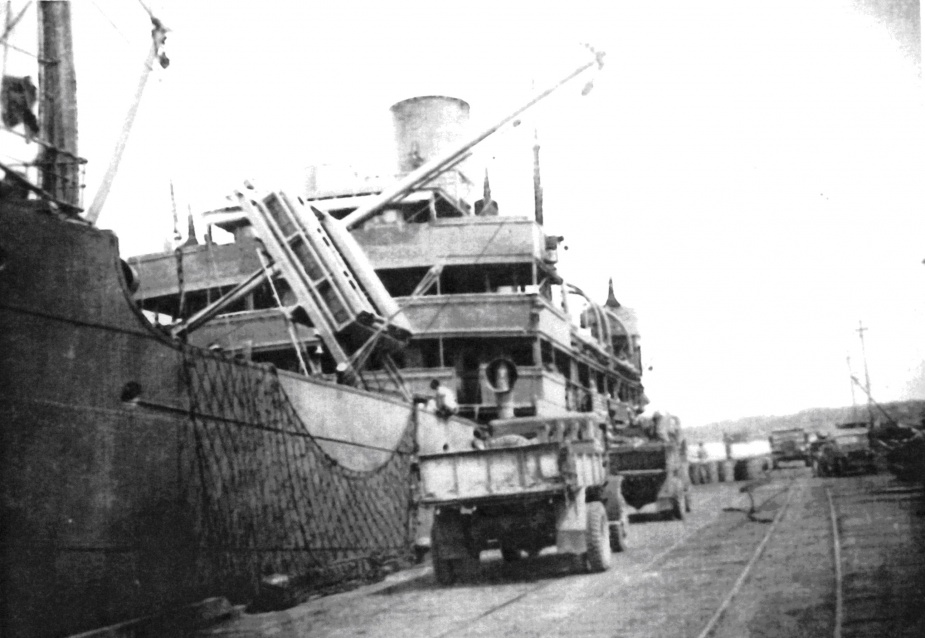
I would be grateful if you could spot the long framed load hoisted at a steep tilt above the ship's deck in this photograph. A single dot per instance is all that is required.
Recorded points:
(335, 287)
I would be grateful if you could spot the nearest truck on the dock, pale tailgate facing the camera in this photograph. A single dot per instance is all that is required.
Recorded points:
(538, 482)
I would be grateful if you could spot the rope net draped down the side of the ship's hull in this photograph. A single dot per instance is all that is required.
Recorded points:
(268, 501)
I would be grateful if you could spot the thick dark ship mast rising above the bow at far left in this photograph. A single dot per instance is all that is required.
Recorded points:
(59, 165)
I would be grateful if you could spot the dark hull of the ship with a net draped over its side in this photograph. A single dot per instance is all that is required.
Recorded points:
(140, 474)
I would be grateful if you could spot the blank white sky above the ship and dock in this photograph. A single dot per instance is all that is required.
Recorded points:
(748, 173)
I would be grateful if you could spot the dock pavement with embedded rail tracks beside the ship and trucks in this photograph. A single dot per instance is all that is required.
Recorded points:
(803, 557)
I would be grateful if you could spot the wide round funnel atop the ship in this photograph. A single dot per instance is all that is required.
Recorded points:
(426, 127)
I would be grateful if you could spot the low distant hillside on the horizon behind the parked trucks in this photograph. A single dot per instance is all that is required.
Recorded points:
(814, 420)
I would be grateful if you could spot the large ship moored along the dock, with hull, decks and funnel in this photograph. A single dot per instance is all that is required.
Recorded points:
(185, 425)
